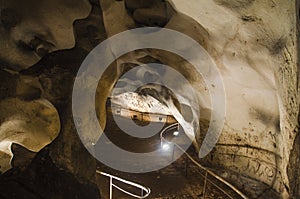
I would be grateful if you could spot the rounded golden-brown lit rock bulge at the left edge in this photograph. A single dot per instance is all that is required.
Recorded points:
(23, 116)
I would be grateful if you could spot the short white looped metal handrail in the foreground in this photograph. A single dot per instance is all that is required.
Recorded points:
(145, 190)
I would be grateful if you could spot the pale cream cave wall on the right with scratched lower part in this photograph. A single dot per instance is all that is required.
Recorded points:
(255, 46)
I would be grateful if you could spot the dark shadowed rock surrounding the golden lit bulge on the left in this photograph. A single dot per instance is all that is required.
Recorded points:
(51, 173)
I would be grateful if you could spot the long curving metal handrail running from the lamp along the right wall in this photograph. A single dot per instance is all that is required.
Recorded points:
(207, 171)
